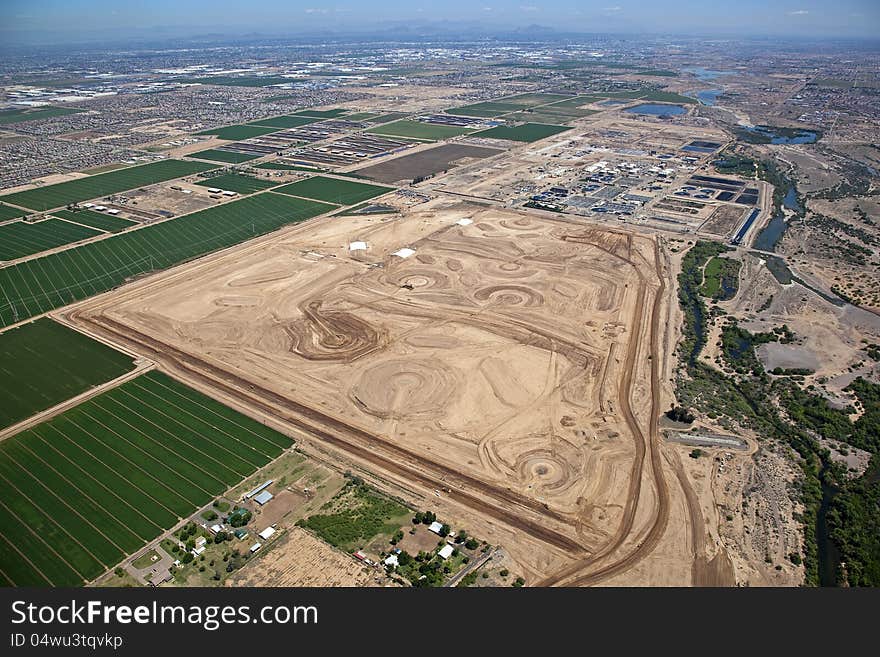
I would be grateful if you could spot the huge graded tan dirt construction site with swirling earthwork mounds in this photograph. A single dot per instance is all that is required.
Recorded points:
(505, 373)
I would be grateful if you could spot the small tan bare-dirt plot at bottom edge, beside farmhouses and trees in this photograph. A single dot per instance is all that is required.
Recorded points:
(300, 559)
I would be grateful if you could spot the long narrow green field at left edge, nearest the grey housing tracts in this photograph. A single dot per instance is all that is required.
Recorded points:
(113, 182)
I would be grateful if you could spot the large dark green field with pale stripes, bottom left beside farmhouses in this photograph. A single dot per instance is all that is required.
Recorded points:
(98, 482)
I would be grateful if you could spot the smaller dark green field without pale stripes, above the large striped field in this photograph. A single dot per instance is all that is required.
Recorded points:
(44, 363)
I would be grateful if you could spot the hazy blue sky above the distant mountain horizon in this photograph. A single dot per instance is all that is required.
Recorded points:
(73, 19)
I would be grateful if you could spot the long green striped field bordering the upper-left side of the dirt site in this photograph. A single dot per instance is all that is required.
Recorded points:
(37, 286)
